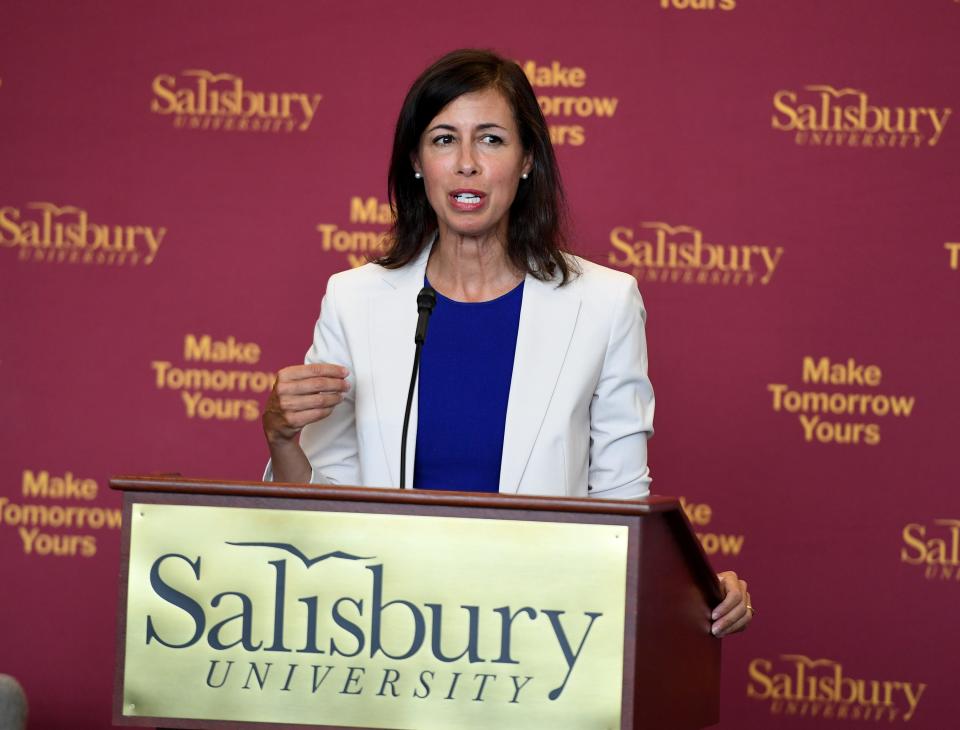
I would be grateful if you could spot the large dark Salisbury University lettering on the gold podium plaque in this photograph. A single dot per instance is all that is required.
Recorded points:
(357, 631)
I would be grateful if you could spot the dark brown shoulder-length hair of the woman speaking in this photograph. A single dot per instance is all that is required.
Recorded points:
(536, 237)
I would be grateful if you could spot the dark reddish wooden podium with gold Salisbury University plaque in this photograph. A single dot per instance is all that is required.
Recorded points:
(183, 539)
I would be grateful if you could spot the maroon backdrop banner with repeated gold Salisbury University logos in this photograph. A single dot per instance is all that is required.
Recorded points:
(782, 178)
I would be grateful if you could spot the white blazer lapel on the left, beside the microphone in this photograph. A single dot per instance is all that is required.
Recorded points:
(392, 321)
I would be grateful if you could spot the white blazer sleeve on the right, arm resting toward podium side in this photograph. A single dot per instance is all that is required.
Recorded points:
(621, 412)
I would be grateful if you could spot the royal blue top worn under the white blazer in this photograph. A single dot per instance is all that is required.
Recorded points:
(465, 372)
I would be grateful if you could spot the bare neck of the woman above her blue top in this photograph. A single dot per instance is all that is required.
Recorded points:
(469, 269)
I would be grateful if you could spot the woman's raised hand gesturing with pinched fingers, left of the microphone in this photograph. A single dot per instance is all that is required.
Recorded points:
(302, 394)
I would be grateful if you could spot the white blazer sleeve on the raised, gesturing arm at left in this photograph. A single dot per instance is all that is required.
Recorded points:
(331, 444)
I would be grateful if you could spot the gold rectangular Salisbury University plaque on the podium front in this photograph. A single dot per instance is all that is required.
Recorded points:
(373, 620)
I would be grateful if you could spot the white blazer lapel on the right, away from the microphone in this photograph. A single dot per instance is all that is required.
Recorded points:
(548, 316)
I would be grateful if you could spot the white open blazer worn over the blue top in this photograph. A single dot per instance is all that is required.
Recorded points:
(580, 407)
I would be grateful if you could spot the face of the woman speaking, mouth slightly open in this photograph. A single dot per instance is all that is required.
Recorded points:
(471, 160)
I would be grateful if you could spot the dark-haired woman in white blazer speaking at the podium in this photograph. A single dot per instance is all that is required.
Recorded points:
(533, 377)
